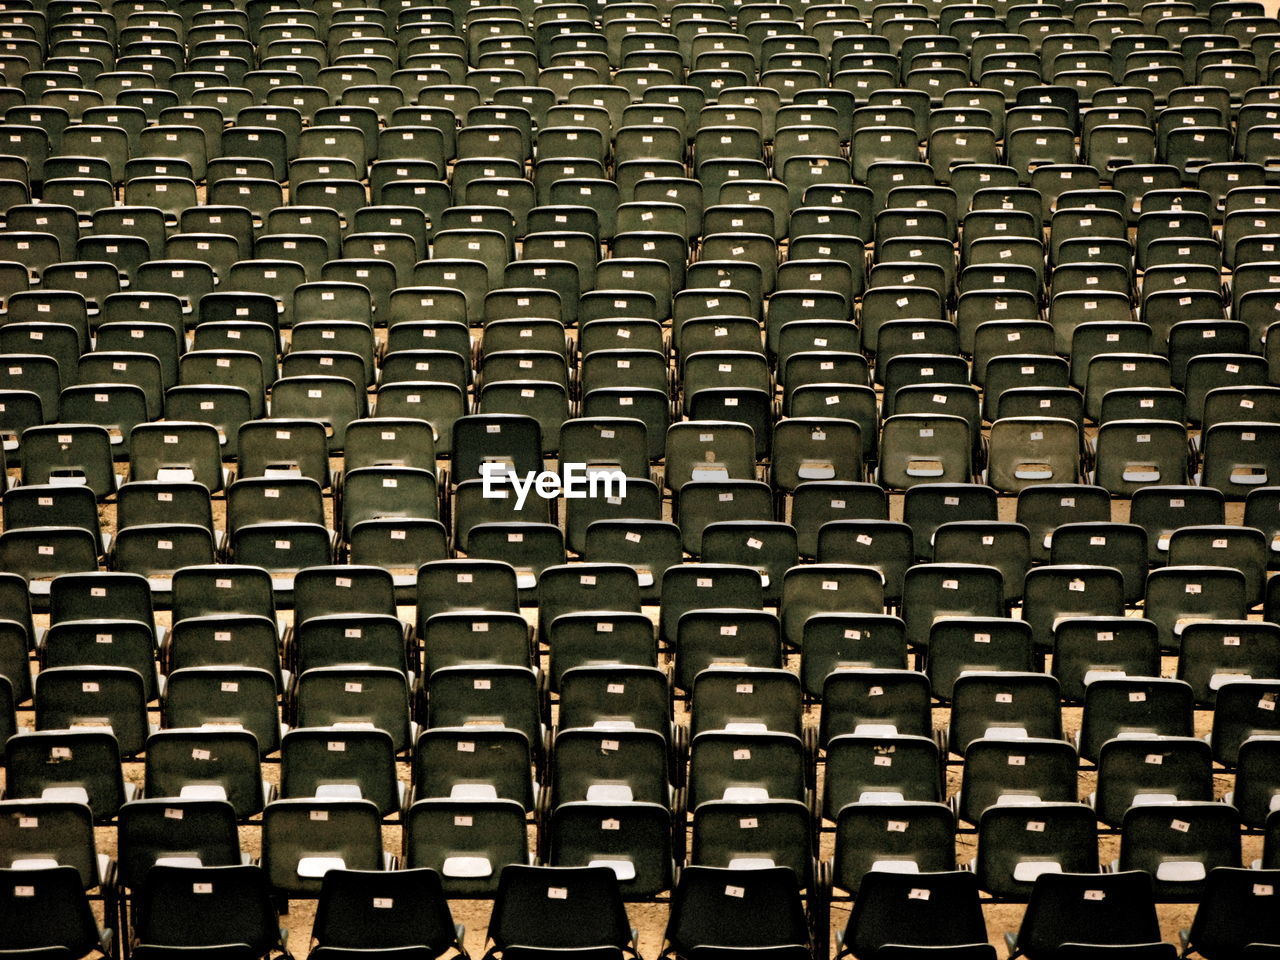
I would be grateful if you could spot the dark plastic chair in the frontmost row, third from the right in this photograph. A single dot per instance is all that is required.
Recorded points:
(913, 909)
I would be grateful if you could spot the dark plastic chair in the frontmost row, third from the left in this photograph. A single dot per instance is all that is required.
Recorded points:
(385, 911)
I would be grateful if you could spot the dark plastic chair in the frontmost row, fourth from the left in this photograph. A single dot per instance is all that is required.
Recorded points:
(559, 908)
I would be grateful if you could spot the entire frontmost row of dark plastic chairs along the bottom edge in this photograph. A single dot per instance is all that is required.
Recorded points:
(716, 913)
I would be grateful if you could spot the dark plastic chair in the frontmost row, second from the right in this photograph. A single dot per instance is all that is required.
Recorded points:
(1107, 909)
